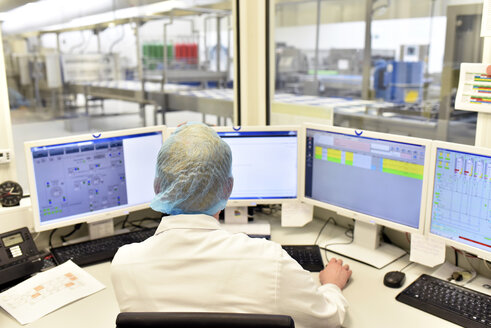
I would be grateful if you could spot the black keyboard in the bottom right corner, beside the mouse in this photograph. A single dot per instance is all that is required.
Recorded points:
(448, 301)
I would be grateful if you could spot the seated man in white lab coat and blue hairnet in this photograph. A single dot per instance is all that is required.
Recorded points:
(192, 265)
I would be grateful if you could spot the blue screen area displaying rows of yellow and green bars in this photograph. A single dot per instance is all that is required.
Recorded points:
(376, 177)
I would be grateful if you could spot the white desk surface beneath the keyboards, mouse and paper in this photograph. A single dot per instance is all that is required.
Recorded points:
(371, 303)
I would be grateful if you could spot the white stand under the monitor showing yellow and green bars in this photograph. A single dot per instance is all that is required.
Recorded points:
(366, 246)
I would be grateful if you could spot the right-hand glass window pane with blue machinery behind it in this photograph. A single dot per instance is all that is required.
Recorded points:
(388, 66)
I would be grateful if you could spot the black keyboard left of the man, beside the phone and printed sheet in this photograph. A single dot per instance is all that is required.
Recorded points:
(98, 250)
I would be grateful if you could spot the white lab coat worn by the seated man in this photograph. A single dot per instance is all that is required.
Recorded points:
(192, 265)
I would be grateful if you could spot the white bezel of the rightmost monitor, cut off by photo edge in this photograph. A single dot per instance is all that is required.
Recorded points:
(456, 147)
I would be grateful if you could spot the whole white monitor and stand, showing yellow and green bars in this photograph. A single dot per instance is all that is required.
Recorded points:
(374, 178)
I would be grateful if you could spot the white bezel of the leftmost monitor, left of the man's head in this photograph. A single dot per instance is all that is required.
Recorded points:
(89, 218)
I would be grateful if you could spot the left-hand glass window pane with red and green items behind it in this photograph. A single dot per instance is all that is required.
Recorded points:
(110, 72)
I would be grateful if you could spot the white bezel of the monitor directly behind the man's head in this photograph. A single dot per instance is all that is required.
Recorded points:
(266, 128)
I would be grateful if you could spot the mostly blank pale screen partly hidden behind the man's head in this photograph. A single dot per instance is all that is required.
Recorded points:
(264, 164)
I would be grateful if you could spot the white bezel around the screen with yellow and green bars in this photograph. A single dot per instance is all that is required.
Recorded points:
(358, 215)
